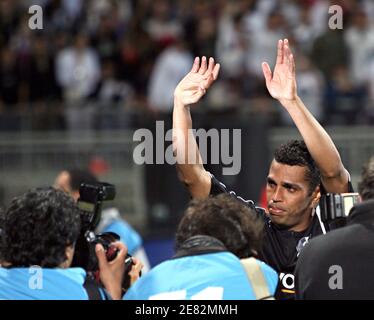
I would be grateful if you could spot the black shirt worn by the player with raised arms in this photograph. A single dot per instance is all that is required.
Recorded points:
(281, 247)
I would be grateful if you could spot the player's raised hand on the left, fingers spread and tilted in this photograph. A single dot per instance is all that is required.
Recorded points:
(194, 85)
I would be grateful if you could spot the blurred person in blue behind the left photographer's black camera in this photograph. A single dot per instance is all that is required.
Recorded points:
(111, 220)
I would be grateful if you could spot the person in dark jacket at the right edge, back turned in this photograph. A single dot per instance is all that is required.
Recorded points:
(340, 265)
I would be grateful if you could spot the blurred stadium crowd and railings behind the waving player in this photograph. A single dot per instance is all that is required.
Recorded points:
(72, 94)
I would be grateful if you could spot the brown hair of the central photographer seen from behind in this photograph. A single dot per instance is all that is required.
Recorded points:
(225, 218)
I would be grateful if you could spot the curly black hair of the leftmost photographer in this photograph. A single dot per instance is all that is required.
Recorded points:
(37, 227)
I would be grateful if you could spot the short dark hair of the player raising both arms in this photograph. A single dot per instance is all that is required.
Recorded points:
(296, 153)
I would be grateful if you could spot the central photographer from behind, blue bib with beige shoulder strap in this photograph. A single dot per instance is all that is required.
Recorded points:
(212, 237)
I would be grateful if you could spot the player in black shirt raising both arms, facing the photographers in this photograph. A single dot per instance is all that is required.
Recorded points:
(298, 173)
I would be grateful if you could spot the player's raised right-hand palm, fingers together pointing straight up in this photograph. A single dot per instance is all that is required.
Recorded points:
(282, 83)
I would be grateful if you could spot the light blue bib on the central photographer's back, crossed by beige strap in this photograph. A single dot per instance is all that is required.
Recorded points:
(218, 276)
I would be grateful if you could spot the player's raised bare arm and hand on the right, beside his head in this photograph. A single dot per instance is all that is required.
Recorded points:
(282, 86)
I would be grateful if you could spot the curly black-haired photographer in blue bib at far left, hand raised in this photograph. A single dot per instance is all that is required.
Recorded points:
(37, 243)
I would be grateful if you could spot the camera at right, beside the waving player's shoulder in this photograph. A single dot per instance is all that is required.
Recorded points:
(336, 207)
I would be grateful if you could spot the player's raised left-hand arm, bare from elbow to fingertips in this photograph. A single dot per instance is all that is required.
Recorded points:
(189, 162)
